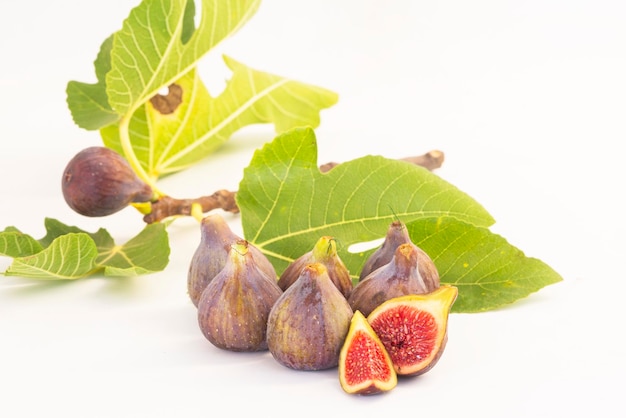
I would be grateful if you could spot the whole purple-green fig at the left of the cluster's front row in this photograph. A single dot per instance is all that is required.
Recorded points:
(234, 307)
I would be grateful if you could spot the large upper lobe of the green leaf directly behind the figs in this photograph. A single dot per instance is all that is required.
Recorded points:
(287, 204)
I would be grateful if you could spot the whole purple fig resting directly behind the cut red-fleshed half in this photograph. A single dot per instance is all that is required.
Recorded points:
(397, 278)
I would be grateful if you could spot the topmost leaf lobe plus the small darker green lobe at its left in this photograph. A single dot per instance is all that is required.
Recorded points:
(157, 44)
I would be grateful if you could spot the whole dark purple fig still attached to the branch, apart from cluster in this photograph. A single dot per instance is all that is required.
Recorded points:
(99, 182)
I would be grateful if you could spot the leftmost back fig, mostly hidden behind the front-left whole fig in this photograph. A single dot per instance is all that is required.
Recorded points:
(210, 256)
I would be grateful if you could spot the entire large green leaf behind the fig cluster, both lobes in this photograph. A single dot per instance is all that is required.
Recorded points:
(287, 203)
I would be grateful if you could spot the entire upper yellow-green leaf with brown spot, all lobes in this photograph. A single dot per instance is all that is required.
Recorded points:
(158, 48)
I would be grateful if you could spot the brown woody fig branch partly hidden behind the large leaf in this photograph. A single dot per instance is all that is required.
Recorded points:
(166, 206)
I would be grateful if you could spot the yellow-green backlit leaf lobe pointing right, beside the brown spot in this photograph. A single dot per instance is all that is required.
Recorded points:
(171, 142)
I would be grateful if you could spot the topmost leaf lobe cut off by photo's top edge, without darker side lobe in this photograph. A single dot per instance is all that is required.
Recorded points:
(149, 51)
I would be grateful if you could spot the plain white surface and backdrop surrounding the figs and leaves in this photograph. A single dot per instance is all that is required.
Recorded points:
(527, 100)
